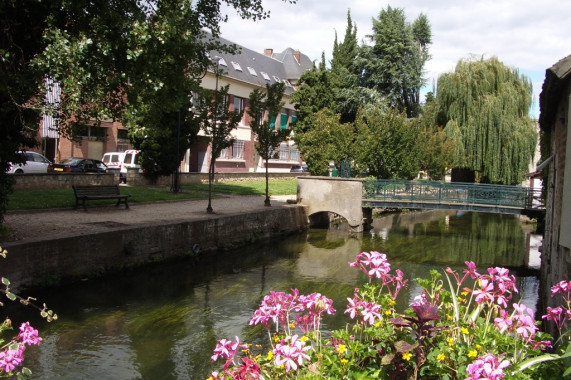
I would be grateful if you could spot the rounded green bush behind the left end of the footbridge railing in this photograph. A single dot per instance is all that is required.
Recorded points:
(388, 144)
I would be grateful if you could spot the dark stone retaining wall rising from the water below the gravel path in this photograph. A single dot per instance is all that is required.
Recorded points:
(67, 259)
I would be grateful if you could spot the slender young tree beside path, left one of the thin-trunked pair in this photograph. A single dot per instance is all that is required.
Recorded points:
(217, 121)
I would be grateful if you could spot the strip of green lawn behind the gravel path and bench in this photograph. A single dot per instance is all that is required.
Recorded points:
(63, 198)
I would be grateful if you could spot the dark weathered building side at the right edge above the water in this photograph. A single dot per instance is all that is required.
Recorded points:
(555, 125)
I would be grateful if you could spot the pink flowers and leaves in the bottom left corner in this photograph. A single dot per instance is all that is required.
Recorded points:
(12, 351)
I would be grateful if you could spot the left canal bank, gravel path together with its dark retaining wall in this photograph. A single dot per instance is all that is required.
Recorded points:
(61, 246)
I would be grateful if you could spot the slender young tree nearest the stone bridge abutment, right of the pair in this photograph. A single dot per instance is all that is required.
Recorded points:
(263, 126)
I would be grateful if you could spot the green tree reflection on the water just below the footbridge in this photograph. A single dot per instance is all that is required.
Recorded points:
(487, 239)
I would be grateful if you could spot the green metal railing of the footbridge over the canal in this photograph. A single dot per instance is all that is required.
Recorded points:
(451, 193)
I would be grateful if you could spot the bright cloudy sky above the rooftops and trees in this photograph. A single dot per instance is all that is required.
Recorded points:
(529, 35)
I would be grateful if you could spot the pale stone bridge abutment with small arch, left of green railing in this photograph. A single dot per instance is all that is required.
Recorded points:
(343, 196)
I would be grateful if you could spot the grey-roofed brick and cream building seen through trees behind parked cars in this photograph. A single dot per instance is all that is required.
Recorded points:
(244, 72)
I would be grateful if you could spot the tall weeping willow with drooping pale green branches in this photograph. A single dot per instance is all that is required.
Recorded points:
(485, 108)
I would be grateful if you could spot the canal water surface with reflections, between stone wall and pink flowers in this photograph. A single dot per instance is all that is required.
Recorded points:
(163, 322)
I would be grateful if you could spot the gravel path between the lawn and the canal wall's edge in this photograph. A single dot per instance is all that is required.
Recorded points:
(41, 224)
